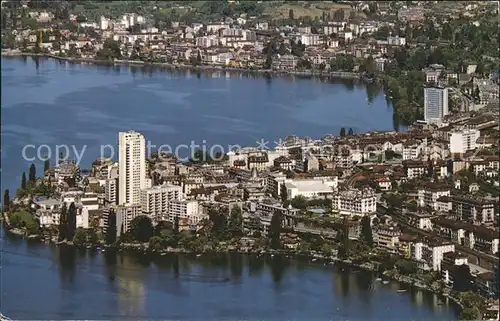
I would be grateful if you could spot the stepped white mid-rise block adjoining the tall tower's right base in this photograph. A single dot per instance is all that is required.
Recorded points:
(155, 200)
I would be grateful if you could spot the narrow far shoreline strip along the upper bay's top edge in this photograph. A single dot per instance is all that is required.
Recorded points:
(276, 73)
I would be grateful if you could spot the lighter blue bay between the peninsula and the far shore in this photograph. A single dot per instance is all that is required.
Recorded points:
(48, 102)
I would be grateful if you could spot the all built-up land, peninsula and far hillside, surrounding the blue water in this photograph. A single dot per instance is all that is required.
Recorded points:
(420, 206)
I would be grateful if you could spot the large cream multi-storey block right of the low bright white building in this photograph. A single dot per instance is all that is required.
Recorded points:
(355, 202)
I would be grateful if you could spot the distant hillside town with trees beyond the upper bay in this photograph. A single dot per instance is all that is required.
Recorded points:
(405, 46)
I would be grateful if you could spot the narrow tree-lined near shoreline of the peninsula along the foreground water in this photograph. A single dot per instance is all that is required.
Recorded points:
(311, 259)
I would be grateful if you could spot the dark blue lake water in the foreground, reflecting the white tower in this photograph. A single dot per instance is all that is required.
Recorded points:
(48, 282)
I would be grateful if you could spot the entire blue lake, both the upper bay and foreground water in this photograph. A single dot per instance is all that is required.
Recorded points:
(46, 102)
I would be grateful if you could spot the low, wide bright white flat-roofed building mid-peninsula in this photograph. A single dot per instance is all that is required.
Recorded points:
(311, 188)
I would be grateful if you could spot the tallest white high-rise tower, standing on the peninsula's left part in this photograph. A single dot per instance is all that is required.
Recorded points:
(132, 167)
